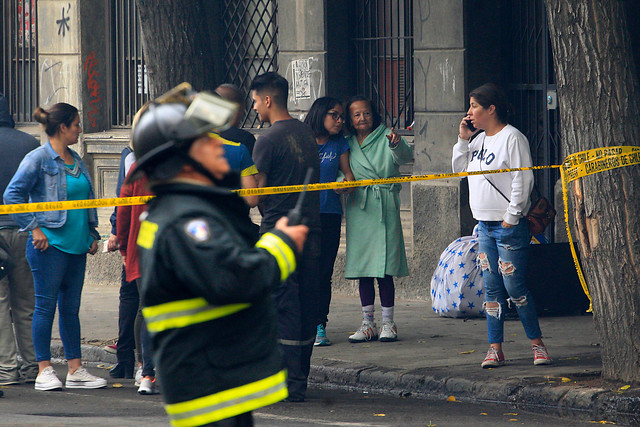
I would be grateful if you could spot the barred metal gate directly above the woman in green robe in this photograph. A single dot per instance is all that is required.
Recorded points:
(384, 45)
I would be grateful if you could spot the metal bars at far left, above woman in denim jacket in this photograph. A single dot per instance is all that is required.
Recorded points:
(19, 60)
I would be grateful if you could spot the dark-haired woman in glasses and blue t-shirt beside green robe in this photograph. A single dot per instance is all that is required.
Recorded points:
(326, 119)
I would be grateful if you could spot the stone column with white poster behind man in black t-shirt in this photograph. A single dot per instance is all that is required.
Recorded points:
(302, 51)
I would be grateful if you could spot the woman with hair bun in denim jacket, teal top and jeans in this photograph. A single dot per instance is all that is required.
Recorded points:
(58, 242)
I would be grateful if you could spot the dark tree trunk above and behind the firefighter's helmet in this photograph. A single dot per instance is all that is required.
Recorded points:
(177, 44)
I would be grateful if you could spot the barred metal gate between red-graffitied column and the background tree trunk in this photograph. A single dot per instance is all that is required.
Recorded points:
(130, 87)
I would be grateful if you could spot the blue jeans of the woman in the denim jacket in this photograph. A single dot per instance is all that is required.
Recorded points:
(57, 278)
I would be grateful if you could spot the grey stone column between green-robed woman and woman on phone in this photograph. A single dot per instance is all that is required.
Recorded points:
(439, 99)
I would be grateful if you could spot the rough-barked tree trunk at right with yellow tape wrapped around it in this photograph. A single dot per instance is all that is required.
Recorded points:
(599, 106)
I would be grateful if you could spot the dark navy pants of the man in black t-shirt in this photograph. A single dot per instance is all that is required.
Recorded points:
(297, 304)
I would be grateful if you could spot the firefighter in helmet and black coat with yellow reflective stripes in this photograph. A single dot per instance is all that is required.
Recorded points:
(207, 277)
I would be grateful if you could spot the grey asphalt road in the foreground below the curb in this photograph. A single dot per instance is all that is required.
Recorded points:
(122, 406)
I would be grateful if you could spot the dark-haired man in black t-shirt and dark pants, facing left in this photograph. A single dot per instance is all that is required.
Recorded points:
(282, 154)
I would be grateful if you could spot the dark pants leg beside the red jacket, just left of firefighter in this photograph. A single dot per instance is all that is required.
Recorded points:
(127, 311)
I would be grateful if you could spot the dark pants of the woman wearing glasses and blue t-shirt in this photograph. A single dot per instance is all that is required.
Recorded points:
(329, 243)
